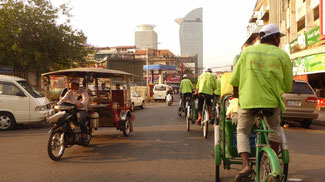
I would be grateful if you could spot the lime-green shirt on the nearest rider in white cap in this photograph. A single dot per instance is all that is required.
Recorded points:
(263, 73)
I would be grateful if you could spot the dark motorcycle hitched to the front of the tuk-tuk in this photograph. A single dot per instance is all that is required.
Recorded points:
(66, 130)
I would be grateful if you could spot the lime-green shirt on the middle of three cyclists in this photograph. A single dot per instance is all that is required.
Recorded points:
(207, 83)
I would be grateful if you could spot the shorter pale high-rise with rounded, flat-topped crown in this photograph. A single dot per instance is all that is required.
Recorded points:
(146, 37)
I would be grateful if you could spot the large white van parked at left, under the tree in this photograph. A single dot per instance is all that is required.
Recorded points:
(20, 103)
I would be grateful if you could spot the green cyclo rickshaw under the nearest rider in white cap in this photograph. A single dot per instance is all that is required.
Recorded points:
(269, 166)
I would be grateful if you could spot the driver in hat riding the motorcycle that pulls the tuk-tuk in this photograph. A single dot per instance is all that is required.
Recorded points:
(72, 96)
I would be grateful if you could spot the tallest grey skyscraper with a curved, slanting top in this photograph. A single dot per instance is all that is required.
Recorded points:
(191, 35)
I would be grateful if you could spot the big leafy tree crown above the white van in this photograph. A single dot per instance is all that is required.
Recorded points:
(31, 38)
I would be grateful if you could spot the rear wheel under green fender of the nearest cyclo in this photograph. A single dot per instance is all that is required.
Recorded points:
(265, 170)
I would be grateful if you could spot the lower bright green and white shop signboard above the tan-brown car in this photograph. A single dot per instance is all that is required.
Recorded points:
(309, 64)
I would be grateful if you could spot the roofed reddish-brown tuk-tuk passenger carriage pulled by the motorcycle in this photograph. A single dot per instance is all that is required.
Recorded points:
(112, 103)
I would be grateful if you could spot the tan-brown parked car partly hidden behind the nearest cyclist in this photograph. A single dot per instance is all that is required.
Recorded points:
(300, 104)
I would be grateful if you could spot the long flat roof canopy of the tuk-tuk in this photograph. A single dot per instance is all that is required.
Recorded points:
(82, 72)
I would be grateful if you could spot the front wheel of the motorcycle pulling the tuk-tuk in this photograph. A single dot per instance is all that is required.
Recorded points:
(56, 147)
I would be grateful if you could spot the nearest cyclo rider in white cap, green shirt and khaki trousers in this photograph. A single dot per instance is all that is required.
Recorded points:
(262, 74)
